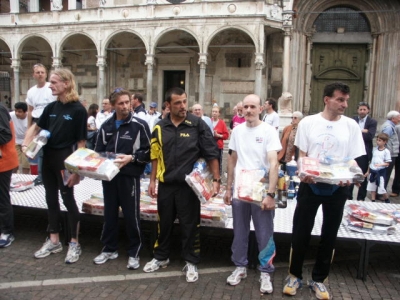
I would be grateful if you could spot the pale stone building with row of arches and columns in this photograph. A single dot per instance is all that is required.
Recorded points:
(218, 51)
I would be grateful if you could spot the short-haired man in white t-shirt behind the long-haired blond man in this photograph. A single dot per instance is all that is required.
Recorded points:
(37, 98)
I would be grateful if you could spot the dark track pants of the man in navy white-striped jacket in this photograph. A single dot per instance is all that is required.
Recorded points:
(122, 191)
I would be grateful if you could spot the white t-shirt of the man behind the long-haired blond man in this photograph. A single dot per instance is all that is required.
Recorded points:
(38, 98)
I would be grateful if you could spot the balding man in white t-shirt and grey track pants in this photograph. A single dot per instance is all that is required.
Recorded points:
(253, 145)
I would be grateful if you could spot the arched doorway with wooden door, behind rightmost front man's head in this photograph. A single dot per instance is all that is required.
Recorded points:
(339, 53)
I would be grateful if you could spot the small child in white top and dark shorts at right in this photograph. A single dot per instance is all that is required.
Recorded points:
(377, 169)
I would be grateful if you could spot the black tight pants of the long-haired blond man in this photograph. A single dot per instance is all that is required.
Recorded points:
(53, 163)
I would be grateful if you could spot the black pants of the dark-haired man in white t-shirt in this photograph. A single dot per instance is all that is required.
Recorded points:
(303, 222)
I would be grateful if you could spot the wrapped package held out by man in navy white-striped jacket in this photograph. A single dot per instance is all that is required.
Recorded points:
(94, 165)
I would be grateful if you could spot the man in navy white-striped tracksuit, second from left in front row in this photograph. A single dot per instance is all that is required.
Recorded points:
(129, 138)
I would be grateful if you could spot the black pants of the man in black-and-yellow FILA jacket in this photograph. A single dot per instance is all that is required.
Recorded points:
(178, 200)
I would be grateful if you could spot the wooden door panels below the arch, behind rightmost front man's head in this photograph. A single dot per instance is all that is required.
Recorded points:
(338, 62)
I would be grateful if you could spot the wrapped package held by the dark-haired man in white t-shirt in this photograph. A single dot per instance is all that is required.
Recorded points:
(331, 172)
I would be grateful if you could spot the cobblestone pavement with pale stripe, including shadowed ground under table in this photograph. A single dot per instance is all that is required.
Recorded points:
(24, 277)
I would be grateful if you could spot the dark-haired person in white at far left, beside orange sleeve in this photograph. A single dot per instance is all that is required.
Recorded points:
(20, 119)
